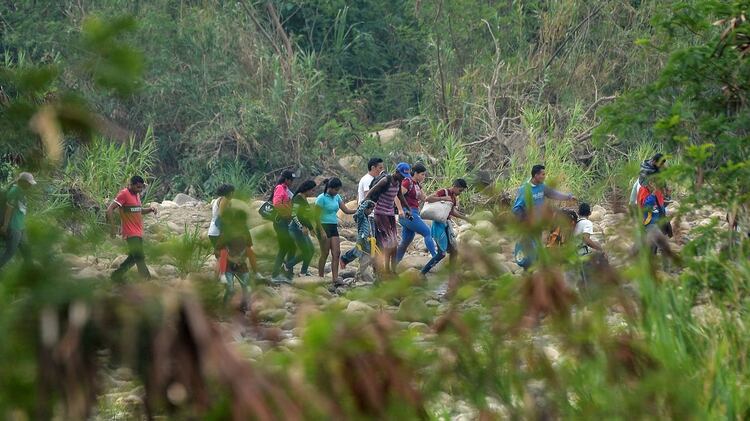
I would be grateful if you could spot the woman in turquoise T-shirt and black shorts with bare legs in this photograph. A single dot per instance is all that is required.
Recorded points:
(330, 202)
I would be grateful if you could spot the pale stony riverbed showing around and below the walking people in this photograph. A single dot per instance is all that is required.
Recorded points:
(279, 312)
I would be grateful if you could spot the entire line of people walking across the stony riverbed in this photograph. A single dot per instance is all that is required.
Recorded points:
(385, 201)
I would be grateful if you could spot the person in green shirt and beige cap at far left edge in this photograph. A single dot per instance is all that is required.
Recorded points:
(14, 217)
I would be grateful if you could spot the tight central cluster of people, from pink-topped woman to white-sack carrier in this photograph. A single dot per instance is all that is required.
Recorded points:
(384, 200)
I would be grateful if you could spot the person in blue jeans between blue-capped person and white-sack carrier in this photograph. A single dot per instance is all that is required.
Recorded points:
(412, 190)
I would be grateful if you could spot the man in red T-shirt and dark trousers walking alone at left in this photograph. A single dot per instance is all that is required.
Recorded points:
(128, 201)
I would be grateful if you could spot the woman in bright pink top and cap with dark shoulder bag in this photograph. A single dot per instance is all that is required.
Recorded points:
(282, 204)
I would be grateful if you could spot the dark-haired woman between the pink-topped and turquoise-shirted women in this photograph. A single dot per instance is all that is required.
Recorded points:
(304, 222)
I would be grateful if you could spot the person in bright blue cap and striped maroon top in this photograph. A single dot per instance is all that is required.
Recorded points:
(386, 188)
